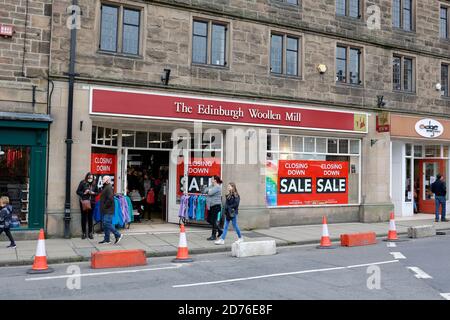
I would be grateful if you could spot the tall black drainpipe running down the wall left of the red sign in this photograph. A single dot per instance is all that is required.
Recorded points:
(69, 140)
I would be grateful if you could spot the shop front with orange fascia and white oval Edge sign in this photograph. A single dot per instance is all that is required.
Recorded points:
(420, 151)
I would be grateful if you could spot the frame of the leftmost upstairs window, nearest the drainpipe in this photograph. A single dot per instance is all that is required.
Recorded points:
(120, 29)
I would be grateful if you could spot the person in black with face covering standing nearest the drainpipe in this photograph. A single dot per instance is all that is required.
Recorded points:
(87, 190)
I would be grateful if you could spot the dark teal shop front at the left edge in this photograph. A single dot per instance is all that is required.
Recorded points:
(23, 167)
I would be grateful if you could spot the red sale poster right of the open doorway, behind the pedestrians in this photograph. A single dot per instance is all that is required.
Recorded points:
(200, 171)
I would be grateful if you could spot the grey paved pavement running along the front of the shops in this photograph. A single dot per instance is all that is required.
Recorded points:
(161, 240)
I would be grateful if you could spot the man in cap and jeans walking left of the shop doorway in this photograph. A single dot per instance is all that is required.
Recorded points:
(107, 210)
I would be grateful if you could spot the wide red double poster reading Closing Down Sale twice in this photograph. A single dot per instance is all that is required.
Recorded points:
(310, 182)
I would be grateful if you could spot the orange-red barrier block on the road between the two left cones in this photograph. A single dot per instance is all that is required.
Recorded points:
(118, 259)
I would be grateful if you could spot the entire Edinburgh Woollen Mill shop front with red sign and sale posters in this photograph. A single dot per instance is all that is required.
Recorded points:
(281, 156)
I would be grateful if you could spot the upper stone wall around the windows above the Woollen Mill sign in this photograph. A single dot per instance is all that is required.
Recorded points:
(167, 44)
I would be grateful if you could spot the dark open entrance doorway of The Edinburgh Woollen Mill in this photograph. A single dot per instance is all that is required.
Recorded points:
(146, 175)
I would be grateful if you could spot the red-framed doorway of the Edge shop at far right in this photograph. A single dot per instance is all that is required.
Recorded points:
(425, 172)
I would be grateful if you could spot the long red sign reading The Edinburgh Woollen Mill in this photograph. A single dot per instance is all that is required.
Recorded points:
(190, 108)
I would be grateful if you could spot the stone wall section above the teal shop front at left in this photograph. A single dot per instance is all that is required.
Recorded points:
(18, 75)
